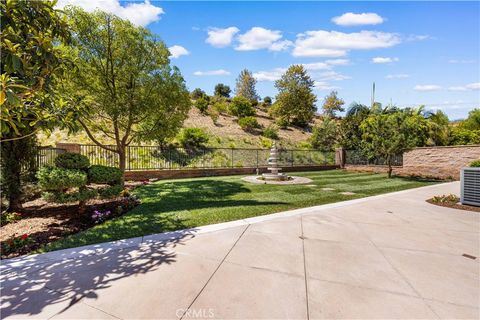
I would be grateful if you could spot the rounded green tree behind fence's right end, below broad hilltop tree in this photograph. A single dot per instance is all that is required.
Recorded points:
(325, 135)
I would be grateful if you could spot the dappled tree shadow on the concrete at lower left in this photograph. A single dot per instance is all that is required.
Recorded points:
(37, 285)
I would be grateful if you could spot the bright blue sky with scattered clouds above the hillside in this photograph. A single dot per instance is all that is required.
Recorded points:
(416, 52)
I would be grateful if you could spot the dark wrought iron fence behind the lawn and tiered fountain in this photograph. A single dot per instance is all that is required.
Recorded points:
(155, 158)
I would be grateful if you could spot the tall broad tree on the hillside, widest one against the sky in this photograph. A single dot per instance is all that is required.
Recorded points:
(295, 101)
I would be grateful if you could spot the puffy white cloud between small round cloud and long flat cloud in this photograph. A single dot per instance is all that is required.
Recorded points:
(260, 38)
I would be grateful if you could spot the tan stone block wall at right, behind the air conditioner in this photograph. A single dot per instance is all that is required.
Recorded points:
(430, 162)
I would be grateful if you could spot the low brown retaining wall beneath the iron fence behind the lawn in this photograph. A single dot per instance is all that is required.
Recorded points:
(140, 175)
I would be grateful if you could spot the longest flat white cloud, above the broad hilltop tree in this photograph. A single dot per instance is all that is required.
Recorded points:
(321, 43)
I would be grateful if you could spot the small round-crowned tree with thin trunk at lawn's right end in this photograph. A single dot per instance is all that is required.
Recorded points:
(388, 134)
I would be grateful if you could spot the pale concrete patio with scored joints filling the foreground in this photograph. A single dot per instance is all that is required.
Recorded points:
(388, 256)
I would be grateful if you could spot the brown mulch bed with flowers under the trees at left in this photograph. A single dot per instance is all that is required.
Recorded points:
(46, 222)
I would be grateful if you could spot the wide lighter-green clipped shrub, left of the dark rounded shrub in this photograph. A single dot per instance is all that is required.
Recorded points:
(57, 179)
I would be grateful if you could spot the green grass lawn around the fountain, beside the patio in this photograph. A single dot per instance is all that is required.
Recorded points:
(178, 204)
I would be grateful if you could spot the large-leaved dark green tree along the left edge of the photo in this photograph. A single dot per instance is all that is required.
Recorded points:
(32, 60)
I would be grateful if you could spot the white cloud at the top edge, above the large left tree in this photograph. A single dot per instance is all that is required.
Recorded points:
(139, 13)
